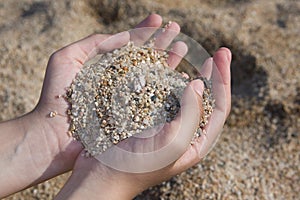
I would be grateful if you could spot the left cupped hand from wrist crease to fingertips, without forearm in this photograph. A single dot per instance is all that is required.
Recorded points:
(51, 112)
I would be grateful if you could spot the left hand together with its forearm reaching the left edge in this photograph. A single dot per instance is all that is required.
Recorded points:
(36, 146)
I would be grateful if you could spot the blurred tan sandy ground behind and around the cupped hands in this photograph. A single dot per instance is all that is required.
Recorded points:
(258, 154)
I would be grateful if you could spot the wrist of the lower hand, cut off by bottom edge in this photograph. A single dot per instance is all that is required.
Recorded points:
(97, 182)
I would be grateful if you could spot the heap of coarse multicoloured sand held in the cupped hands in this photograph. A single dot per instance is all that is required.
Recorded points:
(125, 92)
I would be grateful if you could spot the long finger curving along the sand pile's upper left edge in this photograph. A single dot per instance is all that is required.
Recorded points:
(81, 51)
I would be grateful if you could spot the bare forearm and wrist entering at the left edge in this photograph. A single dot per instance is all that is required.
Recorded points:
(22, 152)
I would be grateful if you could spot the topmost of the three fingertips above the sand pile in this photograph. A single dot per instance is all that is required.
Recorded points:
(145, 29)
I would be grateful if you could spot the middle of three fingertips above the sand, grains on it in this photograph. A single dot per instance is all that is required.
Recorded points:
(165, 36)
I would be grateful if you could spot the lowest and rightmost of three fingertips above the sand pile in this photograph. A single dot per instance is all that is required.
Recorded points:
(177, 52)
